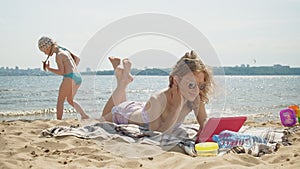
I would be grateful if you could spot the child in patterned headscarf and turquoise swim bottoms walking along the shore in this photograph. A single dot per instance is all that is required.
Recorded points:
(67, 67)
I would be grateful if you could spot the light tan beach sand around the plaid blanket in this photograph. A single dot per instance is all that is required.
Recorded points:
(21, 147)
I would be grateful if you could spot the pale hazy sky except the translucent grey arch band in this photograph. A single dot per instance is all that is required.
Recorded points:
(254, 32)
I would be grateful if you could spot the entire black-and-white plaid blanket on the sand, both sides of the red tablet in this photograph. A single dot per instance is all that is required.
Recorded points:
(183, 137)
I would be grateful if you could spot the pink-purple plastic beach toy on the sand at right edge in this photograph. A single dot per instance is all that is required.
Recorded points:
(288, 117)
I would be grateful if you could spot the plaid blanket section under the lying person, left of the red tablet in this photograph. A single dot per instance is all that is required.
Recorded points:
(129, 133)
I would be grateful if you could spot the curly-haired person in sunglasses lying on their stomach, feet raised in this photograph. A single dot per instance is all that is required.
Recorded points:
(190, 82)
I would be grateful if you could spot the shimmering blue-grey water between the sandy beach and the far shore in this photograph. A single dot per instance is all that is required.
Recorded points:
(34, 97)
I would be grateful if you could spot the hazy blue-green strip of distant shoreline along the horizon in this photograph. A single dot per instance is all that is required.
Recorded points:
(244, 70)
